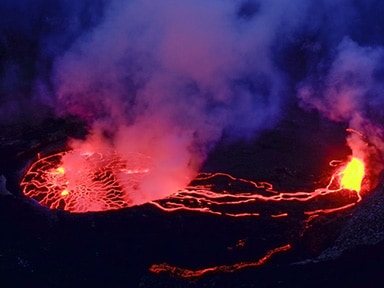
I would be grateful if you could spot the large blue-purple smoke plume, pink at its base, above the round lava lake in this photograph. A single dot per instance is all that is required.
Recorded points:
(167, 80)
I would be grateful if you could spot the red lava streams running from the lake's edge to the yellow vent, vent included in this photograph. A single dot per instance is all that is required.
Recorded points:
(222, 198)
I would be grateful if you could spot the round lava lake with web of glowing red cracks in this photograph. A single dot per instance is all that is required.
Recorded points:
(90, 181)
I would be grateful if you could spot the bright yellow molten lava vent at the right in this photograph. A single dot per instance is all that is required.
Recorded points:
(352, 175)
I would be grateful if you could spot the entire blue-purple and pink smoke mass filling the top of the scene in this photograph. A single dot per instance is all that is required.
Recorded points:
(171, 79)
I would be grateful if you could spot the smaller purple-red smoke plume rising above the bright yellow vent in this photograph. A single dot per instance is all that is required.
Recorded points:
(351, 92)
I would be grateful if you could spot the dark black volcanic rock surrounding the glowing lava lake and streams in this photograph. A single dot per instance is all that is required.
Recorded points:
(40, 247)
